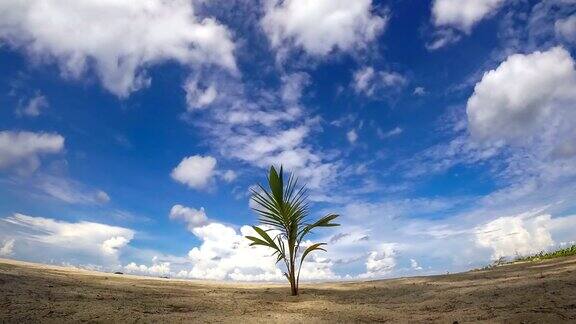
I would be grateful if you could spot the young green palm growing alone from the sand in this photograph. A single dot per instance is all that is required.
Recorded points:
(284, 209)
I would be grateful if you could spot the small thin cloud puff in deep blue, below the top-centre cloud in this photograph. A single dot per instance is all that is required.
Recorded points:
(369, 82)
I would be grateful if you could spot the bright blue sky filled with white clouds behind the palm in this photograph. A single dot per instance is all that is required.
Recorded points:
(132, 131)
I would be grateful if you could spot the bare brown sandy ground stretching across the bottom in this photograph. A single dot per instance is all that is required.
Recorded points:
(531, 292)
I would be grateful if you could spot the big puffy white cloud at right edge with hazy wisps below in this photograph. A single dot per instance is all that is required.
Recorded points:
(519, 121)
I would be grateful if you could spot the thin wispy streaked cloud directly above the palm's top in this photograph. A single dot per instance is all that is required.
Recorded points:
(260, 127)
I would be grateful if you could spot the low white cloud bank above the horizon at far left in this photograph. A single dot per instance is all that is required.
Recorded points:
(49, 240)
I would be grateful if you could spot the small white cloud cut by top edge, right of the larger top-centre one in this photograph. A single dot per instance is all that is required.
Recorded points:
(462, 15)
